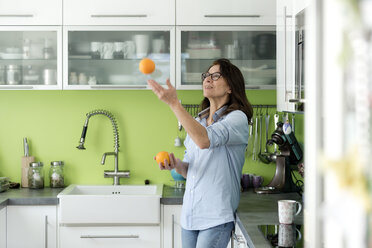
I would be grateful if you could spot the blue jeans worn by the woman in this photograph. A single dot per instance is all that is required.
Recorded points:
(214, 237)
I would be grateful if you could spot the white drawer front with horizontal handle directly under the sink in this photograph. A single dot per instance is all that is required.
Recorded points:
(108, 236)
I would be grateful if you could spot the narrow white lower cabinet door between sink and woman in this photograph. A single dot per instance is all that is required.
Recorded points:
(172, 226)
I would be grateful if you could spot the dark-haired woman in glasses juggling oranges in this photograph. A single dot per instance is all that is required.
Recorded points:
(214, 156)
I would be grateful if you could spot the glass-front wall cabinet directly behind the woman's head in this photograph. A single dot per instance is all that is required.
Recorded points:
(251, 48)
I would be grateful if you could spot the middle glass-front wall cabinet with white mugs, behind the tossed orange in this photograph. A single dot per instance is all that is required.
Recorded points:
(97, 57)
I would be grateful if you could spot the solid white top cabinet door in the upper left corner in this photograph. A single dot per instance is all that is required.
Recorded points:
(35, 12)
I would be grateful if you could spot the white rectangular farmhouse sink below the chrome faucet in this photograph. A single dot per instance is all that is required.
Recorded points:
(108, 204)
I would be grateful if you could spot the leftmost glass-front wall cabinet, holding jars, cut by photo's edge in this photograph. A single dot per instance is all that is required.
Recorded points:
(30, 57)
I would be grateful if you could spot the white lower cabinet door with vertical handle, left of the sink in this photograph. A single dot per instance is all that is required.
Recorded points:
(36, 224)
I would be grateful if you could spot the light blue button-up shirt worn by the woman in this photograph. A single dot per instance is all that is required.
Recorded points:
(213, 178)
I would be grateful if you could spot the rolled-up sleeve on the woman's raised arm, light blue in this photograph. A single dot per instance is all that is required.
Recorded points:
(232, 130)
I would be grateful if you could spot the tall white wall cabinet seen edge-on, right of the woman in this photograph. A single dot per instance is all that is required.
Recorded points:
(290, 60)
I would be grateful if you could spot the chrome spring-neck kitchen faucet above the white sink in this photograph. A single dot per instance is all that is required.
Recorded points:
(115, 174)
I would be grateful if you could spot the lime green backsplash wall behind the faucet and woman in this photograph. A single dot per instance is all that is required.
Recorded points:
(53, 121)
